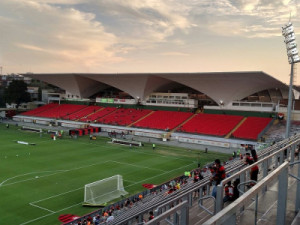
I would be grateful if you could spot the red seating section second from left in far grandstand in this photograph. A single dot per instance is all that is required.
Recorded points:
(60, 111)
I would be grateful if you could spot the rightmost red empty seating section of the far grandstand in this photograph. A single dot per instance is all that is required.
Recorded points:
(251, 128)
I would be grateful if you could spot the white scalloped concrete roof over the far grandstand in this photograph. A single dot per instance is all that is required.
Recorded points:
(219, 86)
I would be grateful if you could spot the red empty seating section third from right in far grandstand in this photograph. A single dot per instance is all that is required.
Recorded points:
(163, 120)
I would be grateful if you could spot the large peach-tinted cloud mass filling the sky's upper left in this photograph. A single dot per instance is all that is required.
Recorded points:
(64, 35)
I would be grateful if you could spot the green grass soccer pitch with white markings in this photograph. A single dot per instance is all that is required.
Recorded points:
(39, 183)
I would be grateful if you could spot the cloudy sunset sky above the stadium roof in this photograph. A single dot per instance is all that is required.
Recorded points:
(146, 36)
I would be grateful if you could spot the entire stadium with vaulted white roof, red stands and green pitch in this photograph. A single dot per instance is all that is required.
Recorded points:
(136, 134)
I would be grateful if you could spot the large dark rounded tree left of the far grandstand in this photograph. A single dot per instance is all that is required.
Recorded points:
(16, 92)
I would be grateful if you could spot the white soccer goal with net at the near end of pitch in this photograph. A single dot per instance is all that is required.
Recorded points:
(103, 191)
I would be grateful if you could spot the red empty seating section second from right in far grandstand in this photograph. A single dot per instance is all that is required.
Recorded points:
(211, 124)
